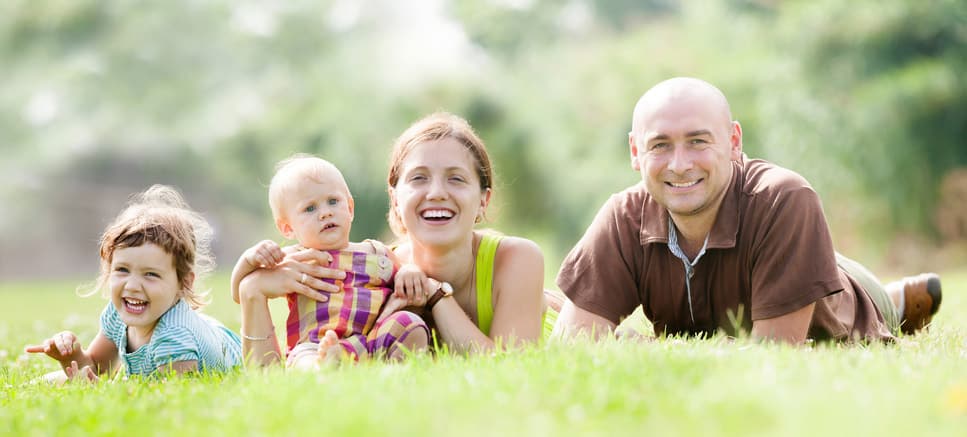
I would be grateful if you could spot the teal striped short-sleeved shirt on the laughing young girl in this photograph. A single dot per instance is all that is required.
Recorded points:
(181, 335)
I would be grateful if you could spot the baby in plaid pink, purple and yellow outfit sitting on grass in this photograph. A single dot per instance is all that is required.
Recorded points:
(311, 204)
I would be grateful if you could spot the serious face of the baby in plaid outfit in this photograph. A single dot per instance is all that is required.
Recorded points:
(319, 213)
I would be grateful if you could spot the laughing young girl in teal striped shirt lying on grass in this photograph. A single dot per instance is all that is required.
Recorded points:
(150, 257)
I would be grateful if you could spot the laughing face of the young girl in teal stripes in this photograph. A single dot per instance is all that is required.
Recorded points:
(144, 284)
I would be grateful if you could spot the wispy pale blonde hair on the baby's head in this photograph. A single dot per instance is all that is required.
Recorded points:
(289, 172)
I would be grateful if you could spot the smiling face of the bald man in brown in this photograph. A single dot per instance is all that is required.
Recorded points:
(683, 146)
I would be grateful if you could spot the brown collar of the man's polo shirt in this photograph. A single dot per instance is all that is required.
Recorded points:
(655, 218)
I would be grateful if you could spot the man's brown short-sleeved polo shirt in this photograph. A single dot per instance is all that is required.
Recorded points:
(769, 253)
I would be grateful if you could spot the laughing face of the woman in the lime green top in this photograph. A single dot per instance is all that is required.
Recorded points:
(438, 195)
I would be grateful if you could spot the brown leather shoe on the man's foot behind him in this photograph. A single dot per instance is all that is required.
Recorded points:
(921, 299)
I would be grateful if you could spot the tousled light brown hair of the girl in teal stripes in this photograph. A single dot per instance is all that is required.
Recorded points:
(161, 216)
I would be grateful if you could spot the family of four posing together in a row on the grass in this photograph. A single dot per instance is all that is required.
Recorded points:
(709, 241)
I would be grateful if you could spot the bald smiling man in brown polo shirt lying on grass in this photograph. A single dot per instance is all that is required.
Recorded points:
(712, 240)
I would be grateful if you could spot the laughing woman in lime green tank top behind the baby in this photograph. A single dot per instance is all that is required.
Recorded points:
(440, 183)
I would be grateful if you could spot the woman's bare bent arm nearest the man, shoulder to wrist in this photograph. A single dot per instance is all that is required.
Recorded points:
(518, 302)
